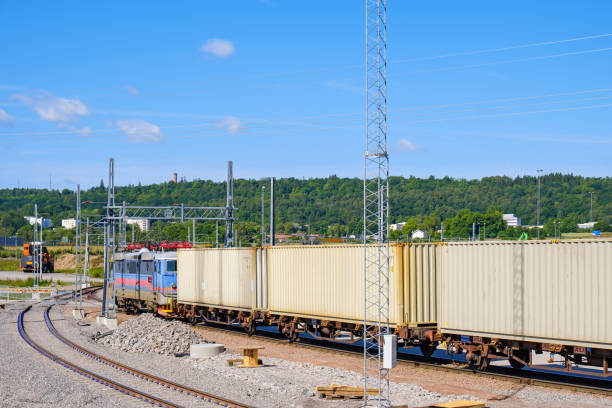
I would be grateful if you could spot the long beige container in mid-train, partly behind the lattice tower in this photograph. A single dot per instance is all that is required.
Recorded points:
(326, 282)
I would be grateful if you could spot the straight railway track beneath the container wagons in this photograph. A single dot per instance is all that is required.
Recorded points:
(528, 377)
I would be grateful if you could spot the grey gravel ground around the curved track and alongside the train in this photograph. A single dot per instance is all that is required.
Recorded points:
(27, 379)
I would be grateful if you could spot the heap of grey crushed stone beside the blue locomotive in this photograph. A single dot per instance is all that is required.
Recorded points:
(151, 334)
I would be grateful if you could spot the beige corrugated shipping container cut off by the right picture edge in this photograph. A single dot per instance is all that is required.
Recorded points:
(541, 291)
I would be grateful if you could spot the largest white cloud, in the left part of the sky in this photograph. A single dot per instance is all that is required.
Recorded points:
(53, 109)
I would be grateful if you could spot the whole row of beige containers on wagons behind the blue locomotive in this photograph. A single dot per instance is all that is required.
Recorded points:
(491, 300)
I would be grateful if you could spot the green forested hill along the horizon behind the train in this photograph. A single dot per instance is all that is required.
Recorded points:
(321, 202)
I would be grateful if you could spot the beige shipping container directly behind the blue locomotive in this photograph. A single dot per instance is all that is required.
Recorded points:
(222, 277)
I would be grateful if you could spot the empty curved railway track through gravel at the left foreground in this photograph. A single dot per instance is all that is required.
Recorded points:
(119, 386)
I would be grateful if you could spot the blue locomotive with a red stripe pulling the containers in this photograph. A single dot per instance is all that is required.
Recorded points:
(145, 281)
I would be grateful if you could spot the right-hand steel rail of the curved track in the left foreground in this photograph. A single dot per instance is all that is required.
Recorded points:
(141, 374)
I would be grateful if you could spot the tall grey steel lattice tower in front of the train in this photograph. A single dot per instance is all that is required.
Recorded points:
(376, 208)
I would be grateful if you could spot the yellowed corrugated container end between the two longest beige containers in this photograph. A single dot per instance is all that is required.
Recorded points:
(420, 274)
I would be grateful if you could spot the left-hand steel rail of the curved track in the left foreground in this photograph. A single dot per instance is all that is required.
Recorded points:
(86, 373)
